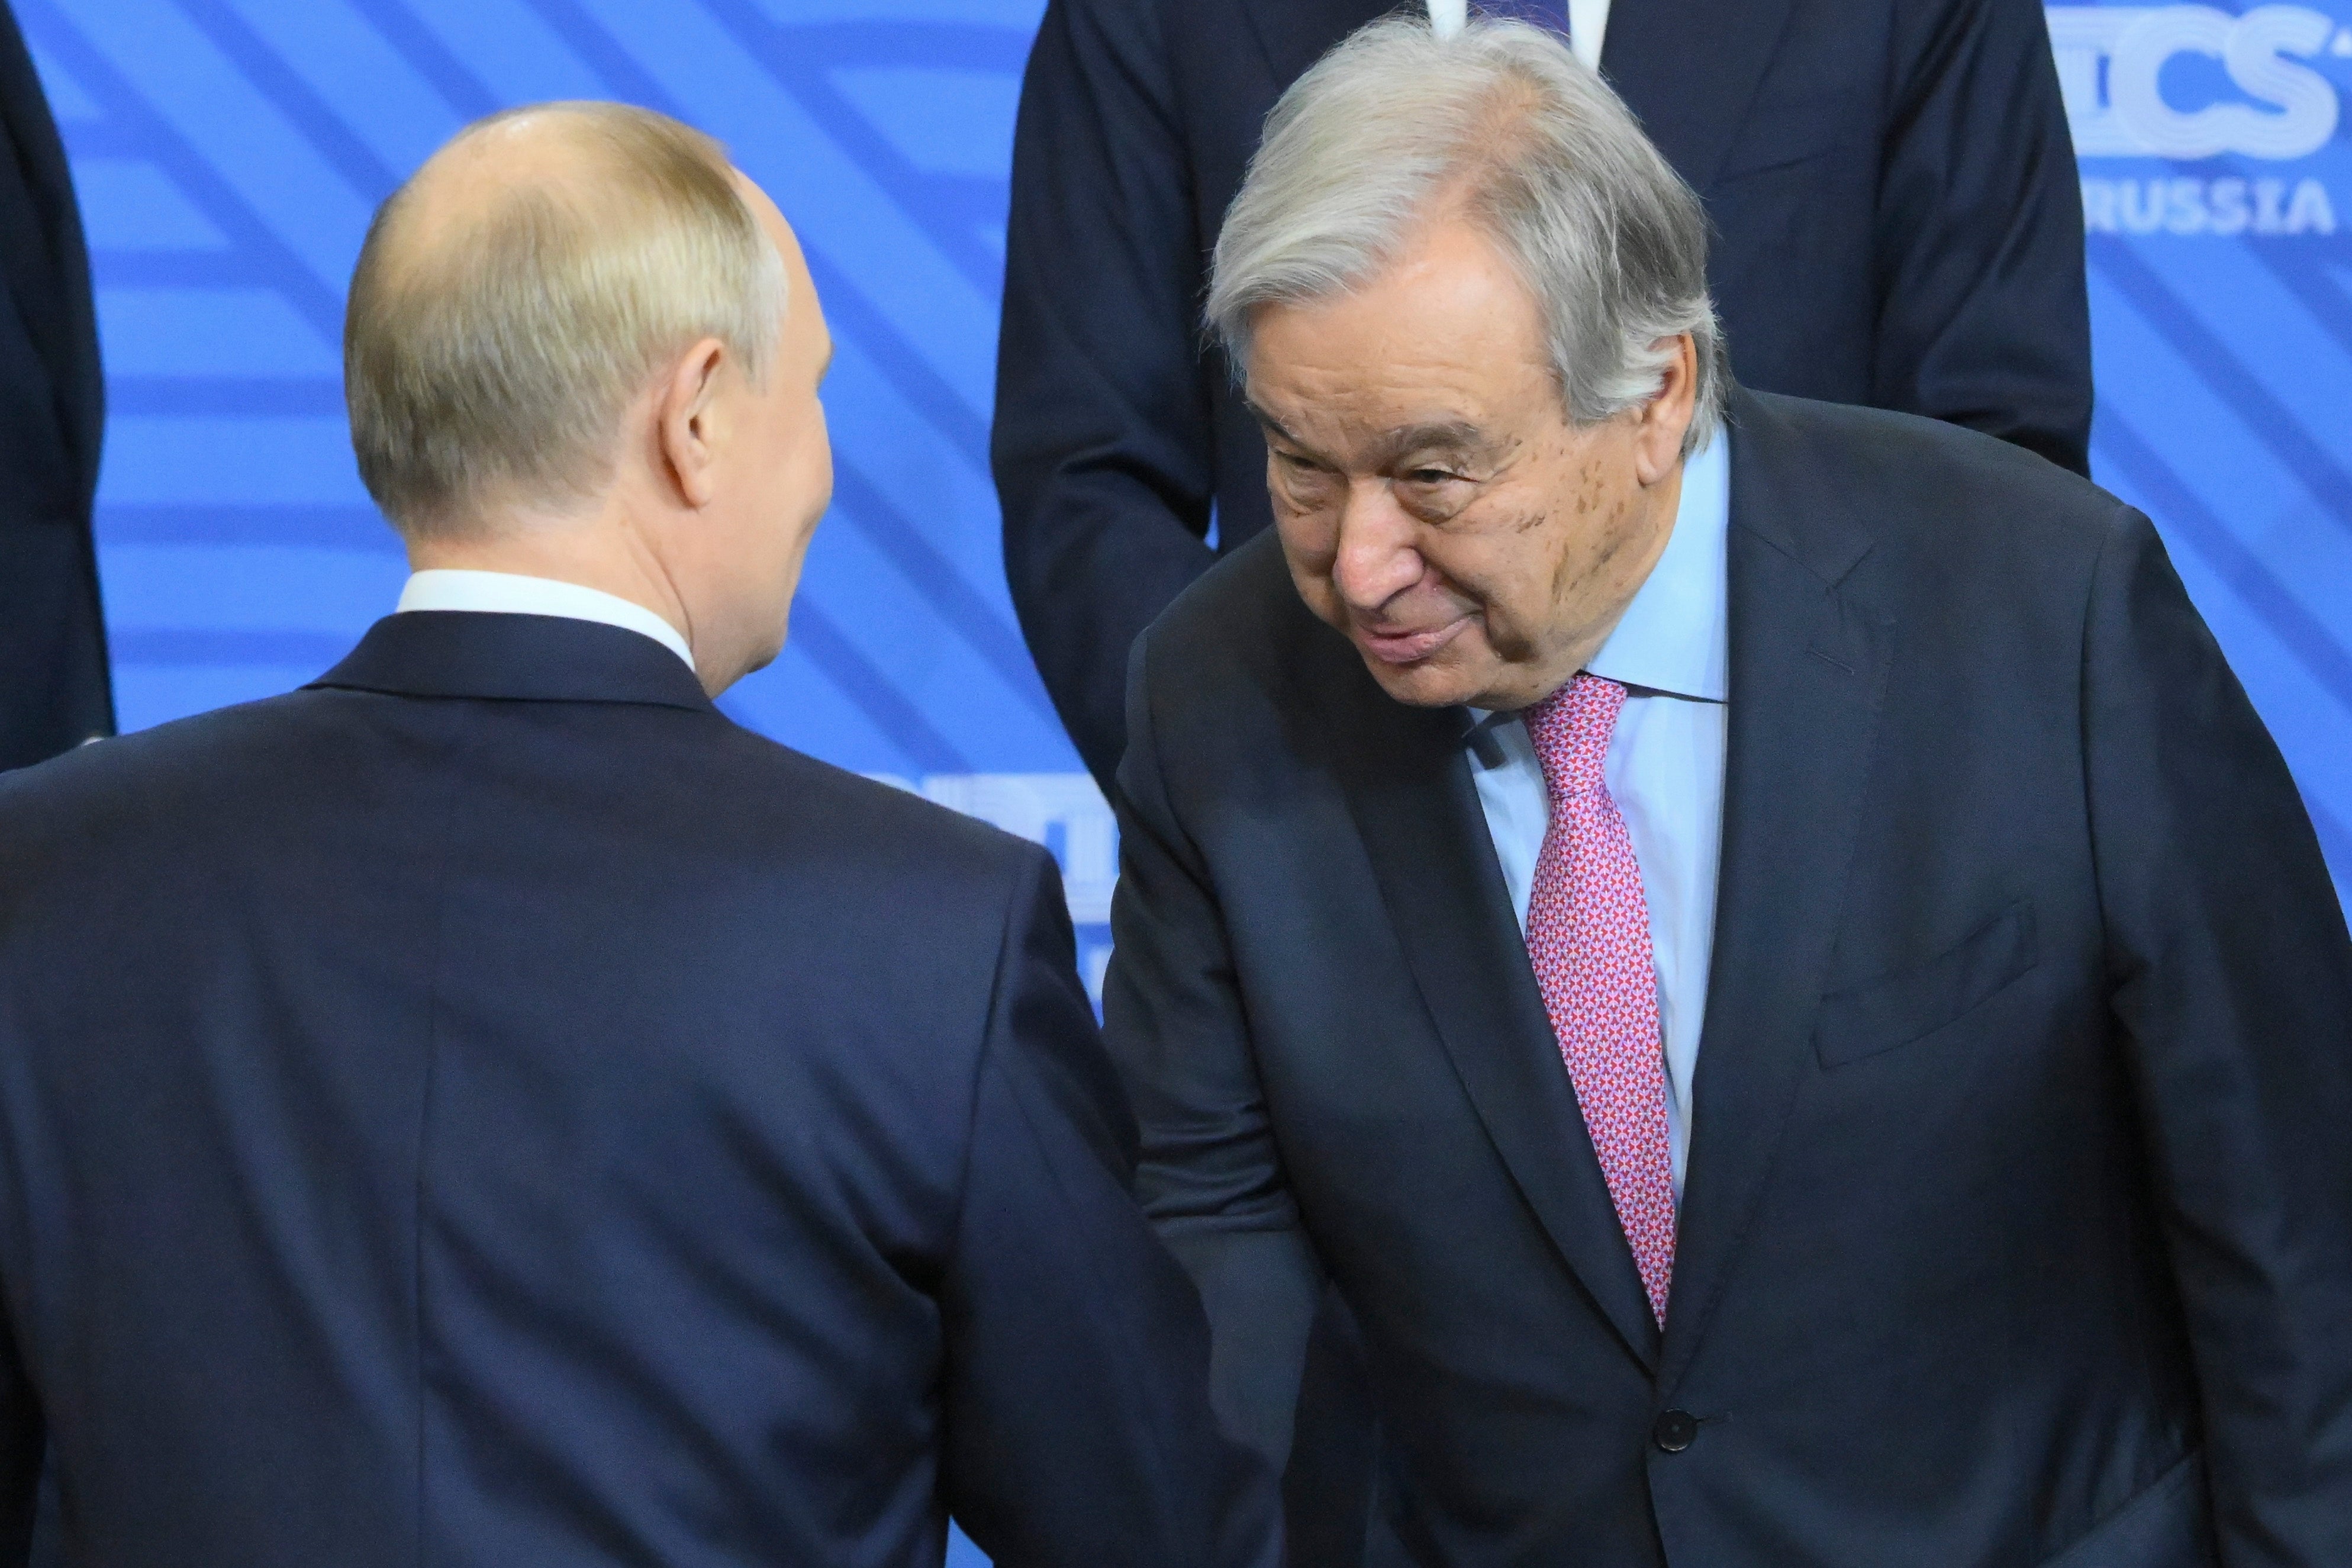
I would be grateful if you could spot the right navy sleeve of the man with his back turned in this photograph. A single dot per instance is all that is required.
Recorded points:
(1078, 1362)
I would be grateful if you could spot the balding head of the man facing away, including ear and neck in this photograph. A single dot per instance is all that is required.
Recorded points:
(570, 356)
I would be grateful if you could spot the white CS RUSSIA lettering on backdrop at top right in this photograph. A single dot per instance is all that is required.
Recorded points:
(2111, 69)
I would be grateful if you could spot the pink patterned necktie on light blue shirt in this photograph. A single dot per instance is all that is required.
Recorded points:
(1589, 939)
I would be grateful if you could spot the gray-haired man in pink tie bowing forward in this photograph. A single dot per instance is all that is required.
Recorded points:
(1756, 944)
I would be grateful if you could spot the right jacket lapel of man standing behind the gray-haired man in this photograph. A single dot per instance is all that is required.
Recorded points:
(1692, 100)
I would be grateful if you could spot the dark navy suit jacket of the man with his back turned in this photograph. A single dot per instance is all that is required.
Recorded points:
(488, 1108)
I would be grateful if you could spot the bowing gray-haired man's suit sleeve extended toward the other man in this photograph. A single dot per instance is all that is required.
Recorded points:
(1210, 1172)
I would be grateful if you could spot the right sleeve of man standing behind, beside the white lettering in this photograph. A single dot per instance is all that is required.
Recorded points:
(1984, 316)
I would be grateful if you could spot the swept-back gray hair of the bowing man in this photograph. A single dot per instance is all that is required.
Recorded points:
(1608, 239)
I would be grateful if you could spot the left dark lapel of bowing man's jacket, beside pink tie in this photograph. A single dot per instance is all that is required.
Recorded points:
(1417, 810)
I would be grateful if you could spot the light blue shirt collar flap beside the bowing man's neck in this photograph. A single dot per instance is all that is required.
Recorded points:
(1676, 636)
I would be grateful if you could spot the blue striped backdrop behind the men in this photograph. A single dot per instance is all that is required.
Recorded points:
(229, 154)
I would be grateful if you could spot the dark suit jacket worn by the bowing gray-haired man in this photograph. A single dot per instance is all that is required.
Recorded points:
(2019, 1217)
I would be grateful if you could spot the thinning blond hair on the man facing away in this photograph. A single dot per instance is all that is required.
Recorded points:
(523, 288)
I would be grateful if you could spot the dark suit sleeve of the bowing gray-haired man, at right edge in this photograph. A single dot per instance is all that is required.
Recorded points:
(2233, 986)
